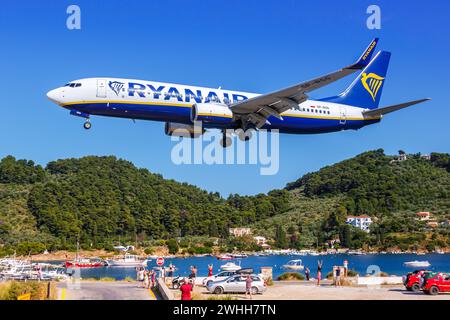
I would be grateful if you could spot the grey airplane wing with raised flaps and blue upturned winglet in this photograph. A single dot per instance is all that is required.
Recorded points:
(258, 109)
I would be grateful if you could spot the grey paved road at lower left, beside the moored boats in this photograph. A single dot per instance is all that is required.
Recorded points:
(98, 290)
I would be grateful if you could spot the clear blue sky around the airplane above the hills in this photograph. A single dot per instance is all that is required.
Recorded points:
(255, 46)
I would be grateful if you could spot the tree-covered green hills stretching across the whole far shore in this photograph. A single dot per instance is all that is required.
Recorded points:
(97, 200)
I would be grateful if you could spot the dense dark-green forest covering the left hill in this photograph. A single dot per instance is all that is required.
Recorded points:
(97, 199)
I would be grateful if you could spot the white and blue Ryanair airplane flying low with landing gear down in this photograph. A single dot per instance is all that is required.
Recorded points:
(289, 110)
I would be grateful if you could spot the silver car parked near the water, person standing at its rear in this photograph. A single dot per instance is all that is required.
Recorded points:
(237, 284)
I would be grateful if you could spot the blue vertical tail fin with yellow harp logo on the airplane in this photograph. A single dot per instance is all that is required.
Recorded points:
(365, 90)
